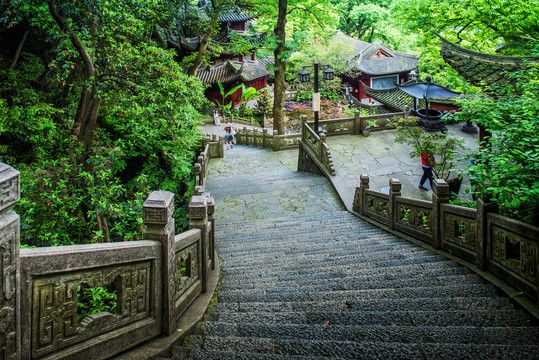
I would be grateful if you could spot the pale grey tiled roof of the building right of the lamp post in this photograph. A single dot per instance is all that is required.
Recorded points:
(367, 61)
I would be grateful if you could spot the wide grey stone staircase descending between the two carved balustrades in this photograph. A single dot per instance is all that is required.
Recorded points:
(327, 285)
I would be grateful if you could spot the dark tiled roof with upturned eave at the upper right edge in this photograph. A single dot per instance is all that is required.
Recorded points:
(479, 67)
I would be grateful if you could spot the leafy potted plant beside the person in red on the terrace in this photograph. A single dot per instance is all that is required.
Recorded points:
(442, 146)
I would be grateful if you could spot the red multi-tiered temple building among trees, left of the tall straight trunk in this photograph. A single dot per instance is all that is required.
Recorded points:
(227, 66)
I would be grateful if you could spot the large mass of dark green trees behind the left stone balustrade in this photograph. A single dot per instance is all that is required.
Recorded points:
(97, 76)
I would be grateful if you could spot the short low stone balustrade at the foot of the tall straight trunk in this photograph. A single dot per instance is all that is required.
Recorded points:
(264, 139)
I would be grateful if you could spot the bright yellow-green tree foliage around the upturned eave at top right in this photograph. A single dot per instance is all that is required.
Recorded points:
(482, 25)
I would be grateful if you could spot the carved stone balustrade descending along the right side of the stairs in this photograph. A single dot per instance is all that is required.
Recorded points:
(497, 245)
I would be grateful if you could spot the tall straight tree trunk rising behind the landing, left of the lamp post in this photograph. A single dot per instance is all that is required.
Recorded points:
(280, 64)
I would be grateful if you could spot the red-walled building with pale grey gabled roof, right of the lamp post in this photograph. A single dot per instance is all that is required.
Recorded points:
(375, 65)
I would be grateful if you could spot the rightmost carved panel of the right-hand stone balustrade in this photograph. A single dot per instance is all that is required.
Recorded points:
(516, 252)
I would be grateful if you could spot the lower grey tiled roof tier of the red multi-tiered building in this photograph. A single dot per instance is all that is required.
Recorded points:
(229, 71)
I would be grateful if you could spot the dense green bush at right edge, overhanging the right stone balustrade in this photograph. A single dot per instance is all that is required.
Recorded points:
(506, 167)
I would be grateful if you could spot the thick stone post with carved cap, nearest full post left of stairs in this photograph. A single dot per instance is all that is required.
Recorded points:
(159, 226)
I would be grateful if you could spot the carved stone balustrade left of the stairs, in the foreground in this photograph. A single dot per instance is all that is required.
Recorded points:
(155, 281)
